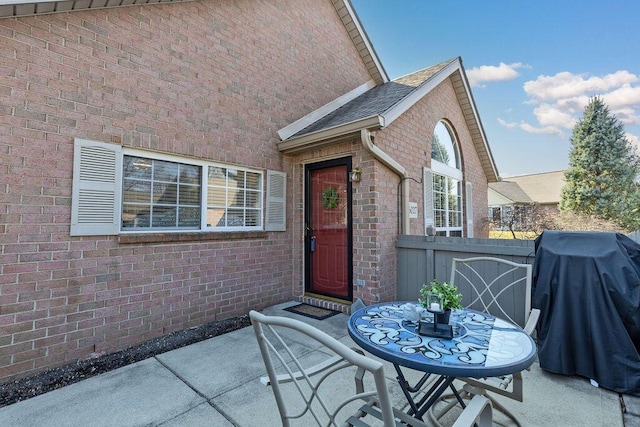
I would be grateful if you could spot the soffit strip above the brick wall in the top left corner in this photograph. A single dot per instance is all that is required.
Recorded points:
(17, 8)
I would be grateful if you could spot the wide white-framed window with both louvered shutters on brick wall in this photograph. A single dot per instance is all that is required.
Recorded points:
(119, 190)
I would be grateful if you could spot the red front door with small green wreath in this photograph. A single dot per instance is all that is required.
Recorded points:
(328, 229)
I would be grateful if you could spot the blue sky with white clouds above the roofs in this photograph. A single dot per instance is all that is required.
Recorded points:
(532, 65)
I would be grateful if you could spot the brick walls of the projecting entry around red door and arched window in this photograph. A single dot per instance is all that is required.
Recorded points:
(375, 198)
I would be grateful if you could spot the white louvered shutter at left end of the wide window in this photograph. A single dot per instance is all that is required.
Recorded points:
(96, 194)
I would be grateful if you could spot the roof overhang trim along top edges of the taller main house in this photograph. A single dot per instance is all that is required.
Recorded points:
(16, 8)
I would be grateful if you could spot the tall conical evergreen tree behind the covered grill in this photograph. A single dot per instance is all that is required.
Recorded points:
(601, 180)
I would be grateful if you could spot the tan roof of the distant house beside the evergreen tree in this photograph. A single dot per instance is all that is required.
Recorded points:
(543, 188)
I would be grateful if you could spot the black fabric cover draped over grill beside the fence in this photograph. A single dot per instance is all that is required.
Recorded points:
(587, 287)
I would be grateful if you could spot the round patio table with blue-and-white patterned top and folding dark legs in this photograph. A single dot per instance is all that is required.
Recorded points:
(482, 346)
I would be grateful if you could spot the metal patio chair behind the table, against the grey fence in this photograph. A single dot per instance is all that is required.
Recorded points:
(501, 288)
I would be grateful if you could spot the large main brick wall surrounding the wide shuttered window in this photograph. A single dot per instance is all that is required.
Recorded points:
(212, 80)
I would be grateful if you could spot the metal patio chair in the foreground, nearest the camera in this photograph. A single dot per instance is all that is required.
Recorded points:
(320, 401)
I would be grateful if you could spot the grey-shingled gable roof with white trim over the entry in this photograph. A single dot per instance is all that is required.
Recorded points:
(376, 107)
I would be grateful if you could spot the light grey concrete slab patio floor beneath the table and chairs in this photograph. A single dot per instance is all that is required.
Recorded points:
(216, 383)
